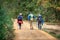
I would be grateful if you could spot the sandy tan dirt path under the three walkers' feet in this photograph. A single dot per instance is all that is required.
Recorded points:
(26, 34)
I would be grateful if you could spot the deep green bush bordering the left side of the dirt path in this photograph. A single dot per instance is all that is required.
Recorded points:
(6, 28)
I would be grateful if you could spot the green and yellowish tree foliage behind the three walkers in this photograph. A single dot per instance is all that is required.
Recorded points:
(43, 7)
